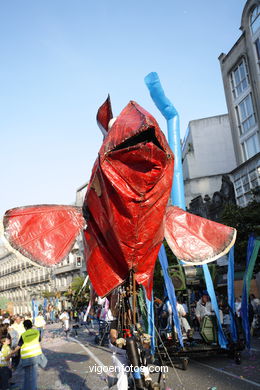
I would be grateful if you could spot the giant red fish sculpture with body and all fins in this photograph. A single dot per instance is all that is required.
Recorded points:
(125, 210)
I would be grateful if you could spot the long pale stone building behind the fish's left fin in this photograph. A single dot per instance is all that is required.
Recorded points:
(21, 281)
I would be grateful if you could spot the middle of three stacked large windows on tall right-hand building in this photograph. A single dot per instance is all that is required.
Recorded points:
(246, 116)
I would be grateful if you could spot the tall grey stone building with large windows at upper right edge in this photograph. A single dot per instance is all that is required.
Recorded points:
(240, 69)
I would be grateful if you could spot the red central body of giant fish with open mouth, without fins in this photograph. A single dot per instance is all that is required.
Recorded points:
(126, 200)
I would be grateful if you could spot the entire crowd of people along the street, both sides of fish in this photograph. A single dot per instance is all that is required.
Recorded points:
(20, 335)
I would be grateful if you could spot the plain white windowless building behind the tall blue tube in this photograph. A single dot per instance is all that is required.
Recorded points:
(207, 154)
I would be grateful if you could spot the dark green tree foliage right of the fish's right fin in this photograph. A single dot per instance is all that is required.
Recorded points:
(246, 220)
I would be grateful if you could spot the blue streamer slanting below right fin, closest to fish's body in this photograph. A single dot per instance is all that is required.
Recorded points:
(171, 292)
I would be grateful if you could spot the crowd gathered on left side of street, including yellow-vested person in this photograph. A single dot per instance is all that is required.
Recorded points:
(20, 343)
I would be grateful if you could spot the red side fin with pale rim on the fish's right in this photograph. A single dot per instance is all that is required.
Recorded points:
(196, 240)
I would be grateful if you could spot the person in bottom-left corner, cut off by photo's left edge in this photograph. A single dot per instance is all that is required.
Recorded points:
(5, 371)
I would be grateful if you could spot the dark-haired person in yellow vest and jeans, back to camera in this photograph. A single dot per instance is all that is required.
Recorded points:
(31, 355)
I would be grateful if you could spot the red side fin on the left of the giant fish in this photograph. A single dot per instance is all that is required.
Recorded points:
(45, 234)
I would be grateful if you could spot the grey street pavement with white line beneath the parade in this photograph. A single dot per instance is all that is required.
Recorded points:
(76, 364)
